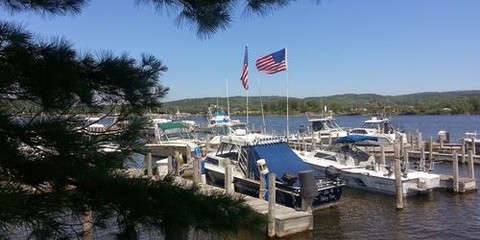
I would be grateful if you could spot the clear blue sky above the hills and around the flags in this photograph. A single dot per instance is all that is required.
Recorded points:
(336, 47)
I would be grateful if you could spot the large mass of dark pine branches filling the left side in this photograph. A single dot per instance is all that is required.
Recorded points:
(52, 169)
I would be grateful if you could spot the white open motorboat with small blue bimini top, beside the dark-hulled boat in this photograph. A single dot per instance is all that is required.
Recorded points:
(360, 170)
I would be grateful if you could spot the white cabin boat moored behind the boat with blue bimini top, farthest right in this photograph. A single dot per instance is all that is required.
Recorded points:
(382, 128)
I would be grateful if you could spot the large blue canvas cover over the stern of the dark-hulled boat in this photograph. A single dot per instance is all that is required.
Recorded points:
(280, 160)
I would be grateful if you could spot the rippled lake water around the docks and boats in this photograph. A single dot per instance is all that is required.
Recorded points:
(363, 215)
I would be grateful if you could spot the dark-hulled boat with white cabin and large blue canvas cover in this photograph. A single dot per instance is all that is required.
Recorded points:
(248, 153)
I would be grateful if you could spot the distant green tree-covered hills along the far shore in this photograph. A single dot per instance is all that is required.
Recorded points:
(431, 103)
